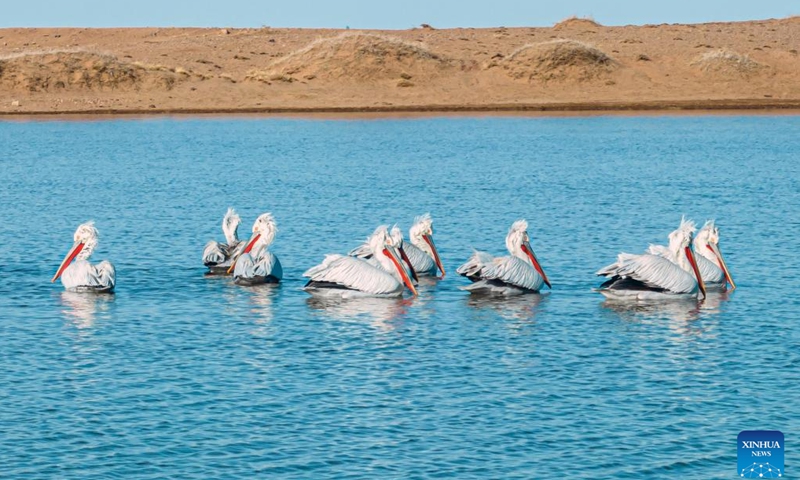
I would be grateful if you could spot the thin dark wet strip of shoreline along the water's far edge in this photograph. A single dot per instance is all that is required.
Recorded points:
(708, 107)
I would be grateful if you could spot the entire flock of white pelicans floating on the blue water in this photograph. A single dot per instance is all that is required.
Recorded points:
(385, 265)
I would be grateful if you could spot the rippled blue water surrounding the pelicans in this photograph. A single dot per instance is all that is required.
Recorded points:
(183, 376)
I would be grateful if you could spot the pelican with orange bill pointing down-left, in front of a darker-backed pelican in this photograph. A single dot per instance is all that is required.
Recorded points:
(256, 264)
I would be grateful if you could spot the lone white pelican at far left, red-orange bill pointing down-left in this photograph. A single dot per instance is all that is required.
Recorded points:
(77, 274)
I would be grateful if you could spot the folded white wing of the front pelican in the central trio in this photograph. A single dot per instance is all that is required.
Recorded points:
(354, 273)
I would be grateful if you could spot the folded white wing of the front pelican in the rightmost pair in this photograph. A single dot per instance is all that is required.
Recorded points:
(652, 270)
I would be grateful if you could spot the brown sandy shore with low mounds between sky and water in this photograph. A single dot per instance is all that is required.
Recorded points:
(576, 65)
